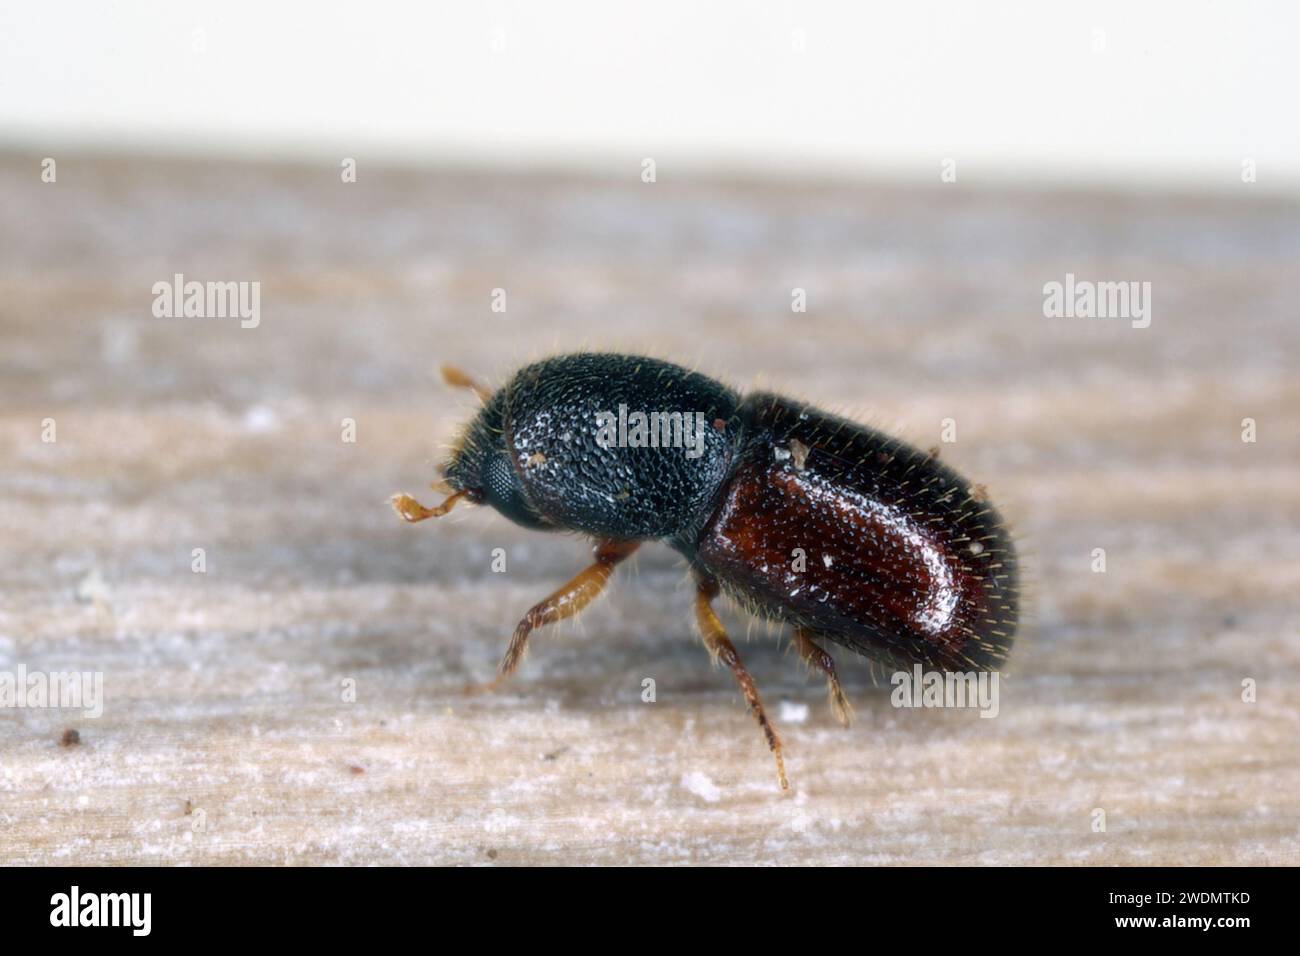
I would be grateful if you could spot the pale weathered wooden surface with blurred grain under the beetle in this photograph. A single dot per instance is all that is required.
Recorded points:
(226, 738)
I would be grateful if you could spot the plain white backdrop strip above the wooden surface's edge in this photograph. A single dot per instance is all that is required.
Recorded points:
(1165, 94)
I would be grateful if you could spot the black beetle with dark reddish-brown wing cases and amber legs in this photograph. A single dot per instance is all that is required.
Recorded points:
(846, 534)
